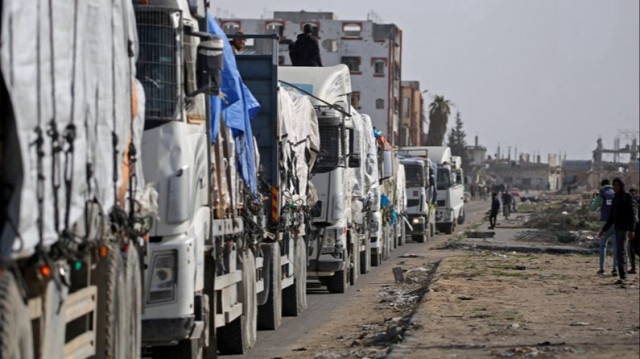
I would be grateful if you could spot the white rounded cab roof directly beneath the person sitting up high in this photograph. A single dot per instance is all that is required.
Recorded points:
(331, 83)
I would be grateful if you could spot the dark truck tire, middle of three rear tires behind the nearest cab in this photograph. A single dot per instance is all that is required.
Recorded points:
(270, 313)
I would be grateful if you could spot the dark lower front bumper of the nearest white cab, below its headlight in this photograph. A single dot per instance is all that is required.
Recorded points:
(166, 331)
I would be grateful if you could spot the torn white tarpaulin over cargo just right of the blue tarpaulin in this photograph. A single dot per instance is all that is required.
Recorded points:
(299, 135)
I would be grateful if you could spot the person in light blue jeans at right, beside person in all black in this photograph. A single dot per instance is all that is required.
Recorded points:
(603, 200)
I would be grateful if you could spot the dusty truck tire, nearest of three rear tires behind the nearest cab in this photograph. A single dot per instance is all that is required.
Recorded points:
(240, 335)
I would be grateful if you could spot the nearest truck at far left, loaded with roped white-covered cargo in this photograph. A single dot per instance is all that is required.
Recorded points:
(75, 211)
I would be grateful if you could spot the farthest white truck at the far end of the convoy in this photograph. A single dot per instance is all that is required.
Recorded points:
(449, 186)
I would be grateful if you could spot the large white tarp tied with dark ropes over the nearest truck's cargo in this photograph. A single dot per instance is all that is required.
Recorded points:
(69, 76)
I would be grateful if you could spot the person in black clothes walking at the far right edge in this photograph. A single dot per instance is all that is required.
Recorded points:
(624, 215)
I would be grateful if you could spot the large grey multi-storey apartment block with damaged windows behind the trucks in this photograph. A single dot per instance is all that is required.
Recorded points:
(372, 51)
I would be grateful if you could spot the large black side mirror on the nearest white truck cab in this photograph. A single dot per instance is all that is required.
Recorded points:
(209, 63)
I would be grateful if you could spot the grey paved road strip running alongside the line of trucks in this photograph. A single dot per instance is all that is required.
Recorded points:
(273, 344)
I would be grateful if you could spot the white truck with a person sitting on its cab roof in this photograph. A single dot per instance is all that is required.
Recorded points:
(334, 246)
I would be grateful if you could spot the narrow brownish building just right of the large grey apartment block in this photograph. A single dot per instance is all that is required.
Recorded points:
(411, 112)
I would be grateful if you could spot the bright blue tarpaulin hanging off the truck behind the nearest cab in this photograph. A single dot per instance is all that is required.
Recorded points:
(238, 106)
